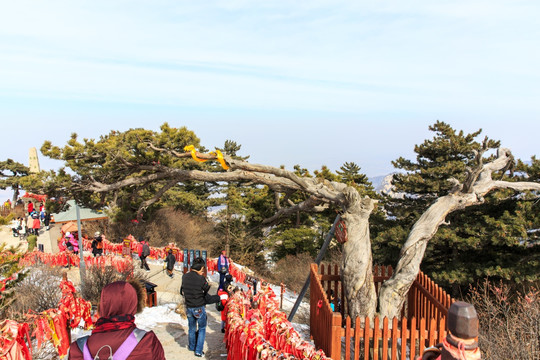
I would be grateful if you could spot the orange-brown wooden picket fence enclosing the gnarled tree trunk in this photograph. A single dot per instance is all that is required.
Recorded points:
(404, 338)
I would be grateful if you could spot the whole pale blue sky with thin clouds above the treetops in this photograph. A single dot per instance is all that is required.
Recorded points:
(319, 82)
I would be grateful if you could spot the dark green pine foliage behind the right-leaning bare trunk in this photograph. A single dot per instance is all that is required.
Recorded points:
(495, 239)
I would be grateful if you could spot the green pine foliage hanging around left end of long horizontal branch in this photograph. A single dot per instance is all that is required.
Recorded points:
(119, 156)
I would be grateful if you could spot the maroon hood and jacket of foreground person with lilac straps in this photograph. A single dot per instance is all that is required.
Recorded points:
(117, 302)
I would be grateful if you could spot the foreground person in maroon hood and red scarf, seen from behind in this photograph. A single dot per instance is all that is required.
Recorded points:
(119, 303)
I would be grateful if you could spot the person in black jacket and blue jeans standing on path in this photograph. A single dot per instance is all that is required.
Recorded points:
(195, 291)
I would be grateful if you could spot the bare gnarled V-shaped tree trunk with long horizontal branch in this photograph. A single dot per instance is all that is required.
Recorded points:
(356, 267)
